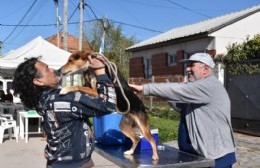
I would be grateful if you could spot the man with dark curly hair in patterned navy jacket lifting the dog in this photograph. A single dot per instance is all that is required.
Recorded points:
(65, 117)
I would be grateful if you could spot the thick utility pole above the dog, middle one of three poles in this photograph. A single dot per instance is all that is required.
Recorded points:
(65, 23)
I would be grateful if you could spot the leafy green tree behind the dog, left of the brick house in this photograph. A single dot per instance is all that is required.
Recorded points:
(115, 43)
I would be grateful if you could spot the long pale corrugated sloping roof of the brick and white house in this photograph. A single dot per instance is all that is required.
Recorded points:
(196, 29)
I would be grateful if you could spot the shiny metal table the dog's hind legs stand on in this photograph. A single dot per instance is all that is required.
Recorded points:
(168, 157)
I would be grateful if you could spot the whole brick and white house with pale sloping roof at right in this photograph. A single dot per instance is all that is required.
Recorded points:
(159, 56)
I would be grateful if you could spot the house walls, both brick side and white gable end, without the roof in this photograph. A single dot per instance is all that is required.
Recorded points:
(216, 43)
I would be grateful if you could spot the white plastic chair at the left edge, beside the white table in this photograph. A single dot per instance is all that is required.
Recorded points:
(6, 123)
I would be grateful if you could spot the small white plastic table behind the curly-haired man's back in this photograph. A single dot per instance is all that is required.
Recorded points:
(23, 123)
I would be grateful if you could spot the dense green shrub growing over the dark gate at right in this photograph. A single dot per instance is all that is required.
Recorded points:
(243, 58)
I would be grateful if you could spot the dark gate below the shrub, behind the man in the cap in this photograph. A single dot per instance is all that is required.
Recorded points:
(244, 92)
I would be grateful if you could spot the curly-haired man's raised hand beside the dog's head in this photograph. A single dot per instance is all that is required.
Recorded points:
(97, 65)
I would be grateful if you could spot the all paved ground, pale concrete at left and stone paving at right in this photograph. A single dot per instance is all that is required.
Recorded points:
(30, 155)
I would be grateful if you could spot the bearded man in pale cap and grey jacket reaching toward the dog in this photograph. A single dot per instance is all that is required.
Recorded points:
(205, 126)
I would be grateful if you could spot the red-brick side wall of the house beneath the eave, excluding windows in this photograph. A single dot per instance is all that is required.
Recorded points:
(159, 58)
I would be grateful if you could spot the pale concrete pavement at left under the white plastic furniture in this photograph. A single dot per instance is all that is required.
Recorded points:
(30, 155)
